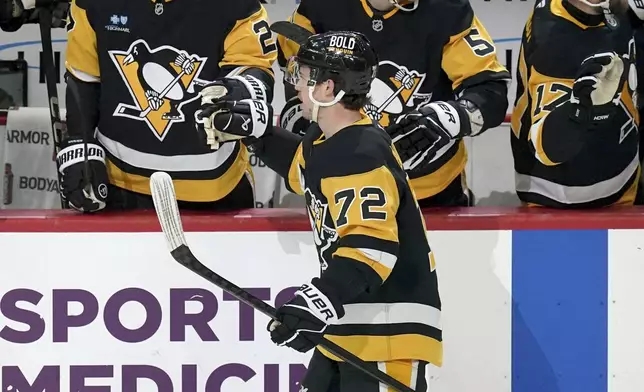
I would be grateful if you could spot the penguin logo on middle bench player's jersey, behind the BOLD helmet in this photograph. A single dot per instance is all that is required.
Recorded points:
(394, 92)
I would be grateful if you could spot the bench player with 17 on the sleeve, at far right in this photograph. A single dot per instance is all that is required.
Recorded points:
(575, 139)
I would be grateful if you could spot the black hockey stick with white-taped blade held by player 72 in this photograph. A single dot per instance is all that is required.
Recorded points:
(165, 204)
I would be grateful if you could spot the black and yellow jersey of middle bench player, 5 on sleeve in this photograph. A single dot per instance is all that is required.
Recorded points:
(426, 55)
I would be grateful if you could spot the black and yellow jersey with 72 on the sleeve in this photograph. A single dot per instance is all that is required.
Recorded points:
(363, 210)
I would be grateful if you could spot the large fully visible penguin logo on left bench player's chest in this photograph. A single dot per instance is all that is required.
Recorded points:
(160, 81)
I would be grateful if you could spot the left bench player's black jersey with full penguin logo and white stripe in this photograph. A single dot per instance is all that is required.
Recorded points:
(151, 59)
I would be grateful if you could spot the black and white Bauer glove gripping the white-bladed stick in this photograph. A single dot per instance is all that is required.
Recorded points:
(302, 321)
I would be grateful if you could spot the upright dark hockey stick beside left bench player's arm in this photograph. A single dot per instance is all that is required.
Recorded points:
(57, 127)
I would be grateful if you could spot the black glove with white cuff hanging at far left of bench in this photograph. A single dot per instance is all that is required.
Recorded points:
(82, 195)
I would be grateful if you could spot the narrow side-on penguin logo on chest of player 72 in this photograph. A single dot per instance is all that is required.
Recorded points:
(324, 233)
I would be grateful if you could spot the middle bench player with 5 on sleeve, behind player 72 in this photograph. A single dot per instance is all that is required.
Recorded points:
(439, 80)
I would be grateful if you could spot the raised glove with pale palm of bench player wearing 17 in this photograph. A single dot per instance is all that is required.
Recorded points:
(597, 90)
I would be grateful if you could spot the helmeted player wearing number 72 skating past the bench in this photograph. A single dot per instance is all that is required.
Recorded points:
(367, 226)
